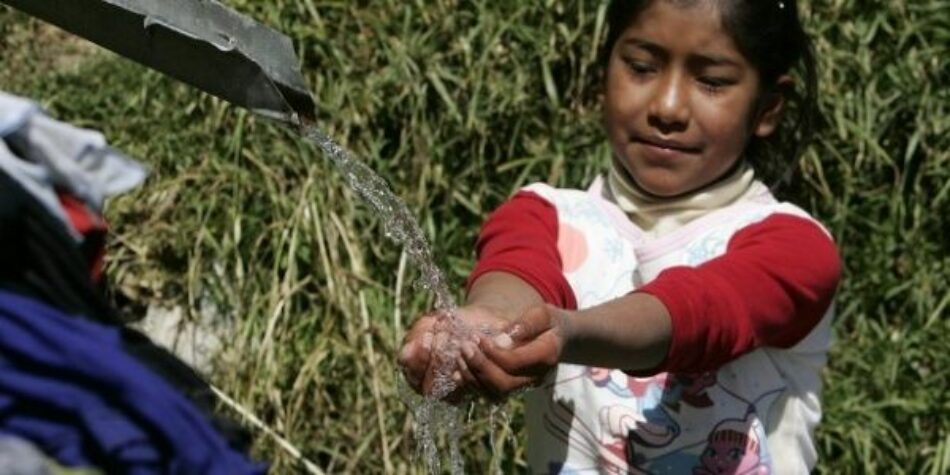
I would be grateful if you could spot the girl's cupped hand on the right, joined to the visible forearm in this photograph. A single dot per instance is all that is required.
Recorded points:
(519, 357)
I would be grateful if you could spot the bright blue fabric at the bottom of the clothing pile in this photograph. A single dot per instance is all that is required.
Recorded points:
(67, 386)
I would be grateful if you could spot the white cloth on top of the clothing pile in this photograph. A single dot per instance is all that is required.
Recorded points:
(43, 154)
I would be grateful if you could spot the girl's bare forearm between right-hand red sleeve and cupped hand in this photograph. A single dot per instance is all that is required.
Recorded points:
(631, 333)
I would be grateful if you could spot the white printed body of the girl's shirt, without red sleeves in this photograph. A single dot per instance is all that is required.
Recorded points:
(756, 414)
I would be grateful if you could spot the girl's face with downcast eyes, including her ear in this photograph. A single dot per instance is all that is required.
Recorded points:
(681, 101)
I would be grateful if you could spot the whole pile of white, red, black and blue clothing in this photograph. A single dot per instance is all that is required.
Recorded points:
(80, 392)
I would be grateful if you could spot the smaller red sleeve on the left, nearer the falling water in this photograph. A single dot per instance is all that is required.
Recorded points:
(520, 238)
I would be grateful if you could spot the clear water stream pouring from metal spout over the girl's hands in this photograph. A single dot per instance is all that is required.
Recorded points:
(401, 226)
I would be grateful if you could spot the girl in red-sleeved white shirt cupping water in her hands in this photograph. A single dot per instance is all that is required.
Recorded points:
(674, 317)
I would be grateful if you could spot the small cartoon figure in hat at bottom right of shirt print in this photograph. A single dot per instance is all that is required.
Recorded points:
(733, 448)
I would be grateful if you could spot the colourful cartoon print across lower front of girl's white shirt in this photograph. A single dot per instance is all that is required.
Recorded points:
(641, 432)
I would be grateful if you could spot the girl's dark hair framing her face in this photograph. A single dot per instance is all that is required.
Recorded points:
(769, 34)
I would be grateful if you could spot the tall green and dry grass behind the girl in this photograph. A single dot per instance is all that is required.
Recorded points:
(457, 104)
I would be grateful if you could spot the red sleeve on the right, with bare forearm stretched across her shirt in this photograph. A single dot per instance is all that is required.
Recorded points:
(771, 287)
